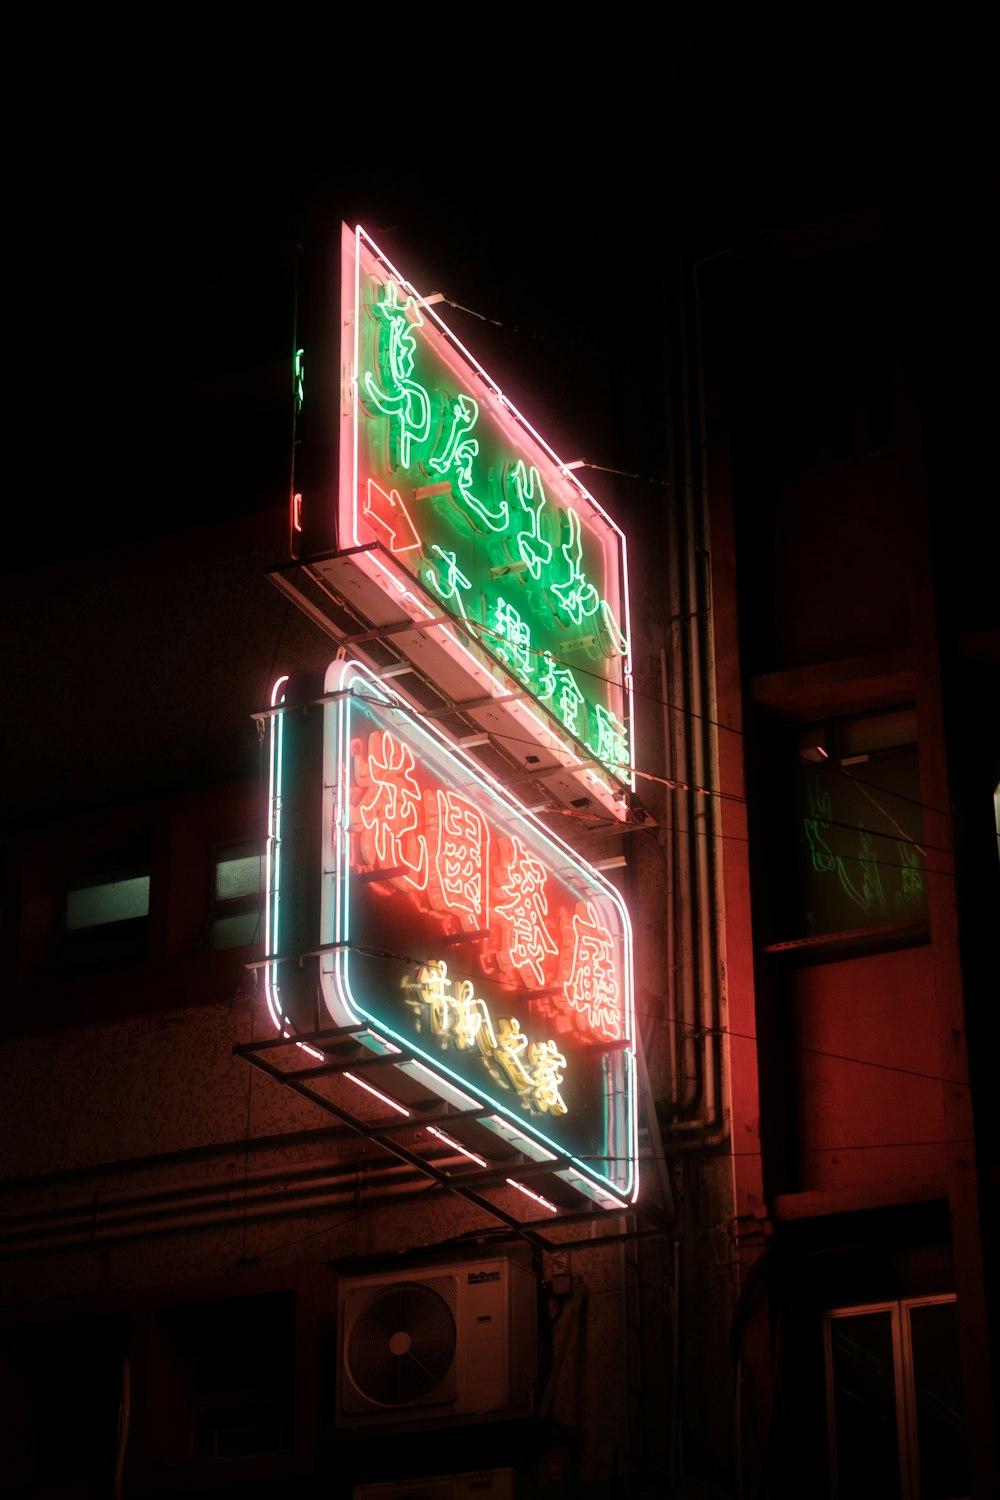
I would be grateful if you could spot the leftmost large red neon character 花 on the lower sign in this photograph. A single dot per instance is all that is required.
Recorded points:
(392, 812)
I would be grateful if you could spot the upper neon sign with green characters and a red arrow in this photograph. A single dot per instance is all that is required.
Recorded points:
(463, 512)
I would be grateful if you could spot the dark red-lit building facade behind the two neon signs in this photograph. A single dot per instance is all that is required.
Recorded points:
(230, 1267)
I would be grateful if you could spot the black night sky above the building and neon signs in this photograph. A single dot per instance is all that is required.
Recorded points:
(166, 167)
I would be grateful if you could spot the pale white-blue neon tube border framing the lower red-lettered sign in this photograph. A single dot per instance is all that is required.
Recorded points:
(621, 1117)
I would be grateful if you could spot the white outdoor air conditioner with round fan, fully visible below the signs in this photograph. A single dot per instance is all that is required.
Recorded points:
(439, 1343)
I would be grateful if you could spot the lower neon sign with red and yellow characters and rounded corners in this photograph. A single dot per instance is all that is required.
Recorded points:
(425, 905)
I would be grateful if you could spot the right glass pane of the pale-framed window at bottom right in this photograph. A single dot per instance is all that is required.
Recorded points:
(941, 1423)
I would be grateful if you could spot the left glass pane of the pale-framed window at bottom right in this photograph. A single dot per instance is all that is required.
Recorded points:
(866, 1432)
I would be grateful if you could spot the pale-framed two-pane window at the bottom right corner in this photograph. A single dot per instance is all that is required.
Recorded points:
(896, 1415)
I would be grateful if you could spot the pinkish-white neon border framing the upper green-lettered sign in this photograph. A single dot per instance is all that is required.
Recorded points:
(545, 733)
